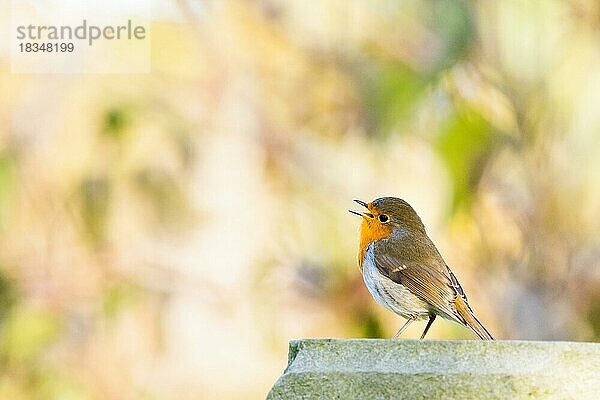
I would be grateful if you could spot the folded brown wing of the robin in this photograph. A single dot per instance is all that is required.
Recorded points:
(429, 278)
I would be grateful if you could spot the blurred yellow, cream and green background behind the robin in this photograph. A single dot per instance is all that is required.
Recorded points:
(163, 236)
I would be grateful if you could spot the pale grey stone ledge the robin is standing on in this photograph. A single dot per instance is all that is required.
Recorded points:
(439, 369)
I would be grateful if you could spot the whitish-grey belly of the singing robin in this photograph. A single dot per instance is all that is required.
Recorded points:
(390, 294)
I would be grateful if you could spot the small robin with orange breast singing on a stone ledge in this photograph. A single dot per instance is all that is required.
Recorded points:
(404, 271)
